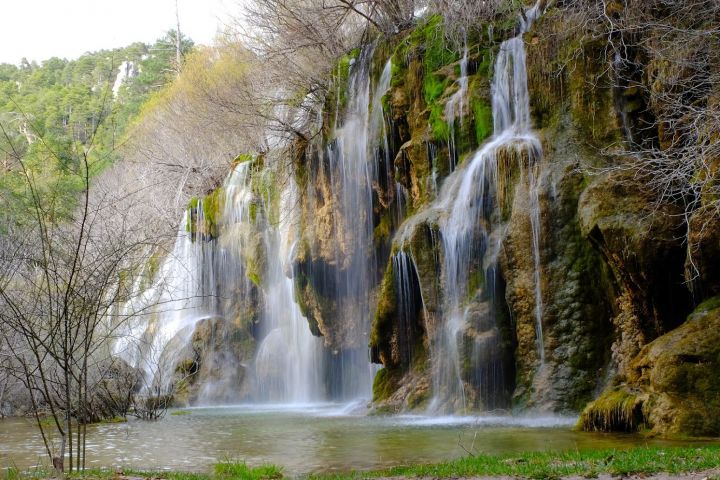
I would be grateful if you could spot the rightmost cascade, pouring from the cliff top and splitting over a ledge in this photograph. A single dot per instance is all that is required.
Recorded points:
(511, 118)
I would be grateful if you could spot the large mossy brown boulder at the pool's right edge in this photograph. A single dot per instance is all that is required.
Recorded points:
(672, 385)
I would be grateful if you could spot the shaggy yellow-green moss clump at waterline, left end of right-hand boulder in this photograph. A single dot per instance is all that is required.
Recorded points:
(616, 410)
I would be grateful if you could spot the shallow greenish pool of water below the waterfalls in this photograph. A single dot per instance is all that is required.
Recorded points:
(303, 439)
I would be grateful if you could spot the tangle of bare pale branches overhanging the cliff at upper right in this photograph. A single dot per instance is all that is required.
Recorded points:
(663, 58)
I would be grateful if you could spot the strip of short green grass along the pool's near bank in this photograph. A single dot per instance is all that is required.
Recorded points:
(550, 465)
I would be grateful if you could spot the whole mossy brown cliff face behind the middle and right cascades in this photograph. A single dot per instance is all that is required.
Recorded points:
(578, 279)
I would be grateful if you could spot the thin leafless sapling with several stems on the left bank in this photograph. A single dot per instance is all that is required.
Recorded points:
(60, 279)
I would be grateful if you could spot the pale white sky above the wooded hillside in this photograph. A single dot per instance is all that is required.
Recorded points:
(40, 29)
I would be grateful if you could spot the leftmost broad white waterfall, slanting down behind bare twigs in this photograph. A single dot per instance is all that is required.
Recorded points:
(191, 285)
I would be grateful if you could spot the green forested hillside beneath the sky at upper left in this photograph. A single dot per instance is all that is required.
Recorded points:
(55, 113)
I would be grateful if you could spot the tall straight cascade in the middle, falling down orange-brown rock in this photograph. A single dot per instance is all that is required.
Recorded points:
(358, 155)
